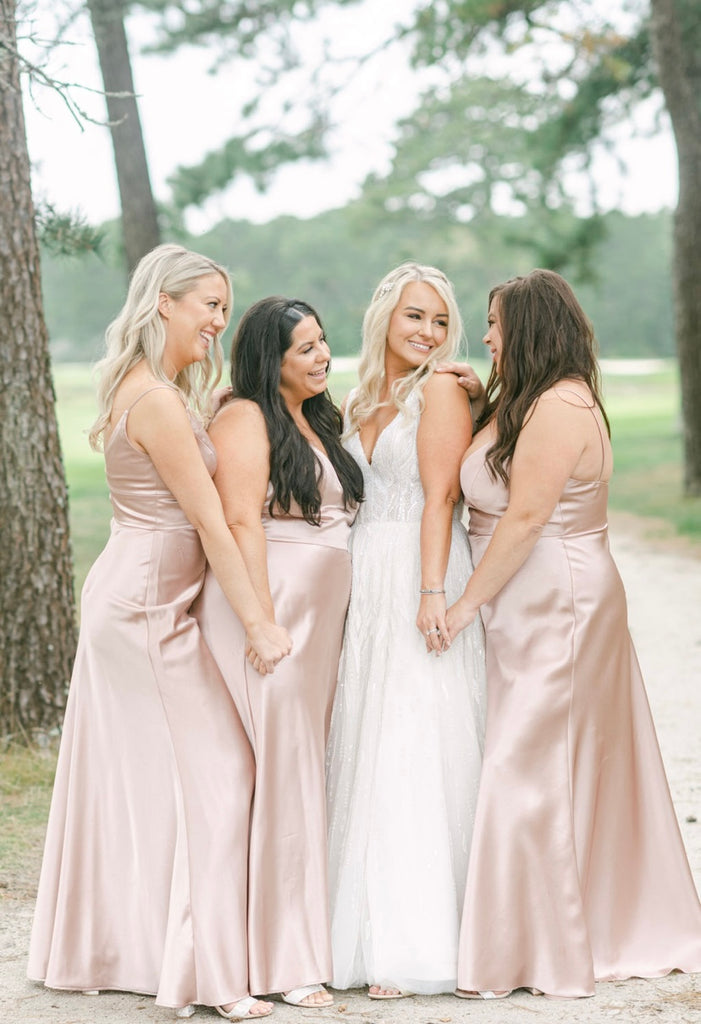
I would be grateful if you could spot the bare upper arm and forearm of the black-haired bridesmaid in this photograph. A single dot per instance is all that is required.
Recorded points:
(241, 440)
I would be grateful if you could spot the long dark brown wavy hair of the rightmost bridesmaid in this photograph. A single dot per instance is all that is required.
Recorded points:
(546, 338)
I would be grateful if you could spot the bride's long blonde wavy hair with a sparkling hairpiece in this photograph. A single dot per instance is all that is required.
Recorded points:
(368, 397)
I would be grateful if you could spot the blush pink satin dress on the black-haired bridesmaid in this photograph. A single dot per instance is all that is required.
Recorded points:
(286, 716)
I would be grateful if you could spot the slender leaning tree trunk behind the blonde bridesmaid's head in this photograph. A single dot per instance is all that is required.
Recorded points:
(140, 217)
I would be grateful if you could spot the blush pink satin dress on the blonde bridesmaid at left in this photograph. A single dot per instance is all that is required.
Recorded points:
(141, 886)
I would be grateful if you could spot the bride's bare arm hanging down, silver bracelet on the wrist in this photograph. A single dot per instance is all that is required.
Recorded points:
(445, 434)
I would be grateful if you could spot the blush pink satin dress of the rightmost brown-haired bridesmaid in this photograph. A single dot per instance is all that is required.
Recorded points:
(578, 872)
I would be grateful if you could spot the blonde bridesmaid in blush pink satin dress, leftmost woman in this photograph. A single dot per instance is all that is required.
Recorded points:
(147, 844)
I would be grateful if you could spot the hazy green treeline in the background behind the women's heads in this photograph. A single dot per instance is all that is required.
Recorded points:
(335, 261)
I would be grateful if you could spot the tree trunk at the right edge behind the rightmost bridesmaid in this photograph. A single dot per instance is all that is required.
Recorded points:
(676, 34)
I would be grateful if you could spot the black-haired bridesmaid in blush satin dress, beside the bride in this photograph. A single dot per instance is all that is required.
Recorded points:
(290, 493)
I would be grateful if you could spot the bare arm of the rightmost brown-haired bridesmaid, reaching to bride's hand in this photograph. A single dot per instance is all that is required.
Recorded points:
(547, 455)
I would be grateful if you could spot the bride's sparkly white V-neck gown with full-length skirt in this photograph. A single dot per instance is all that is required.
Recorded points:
(406, 743)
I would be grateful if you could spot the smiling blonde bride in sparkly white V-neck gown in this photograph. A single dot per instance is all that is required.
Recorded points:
(407, 729)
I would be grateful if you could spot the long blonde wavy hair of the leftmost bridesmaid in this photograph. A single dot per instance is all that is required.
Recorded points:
(139, 332)
